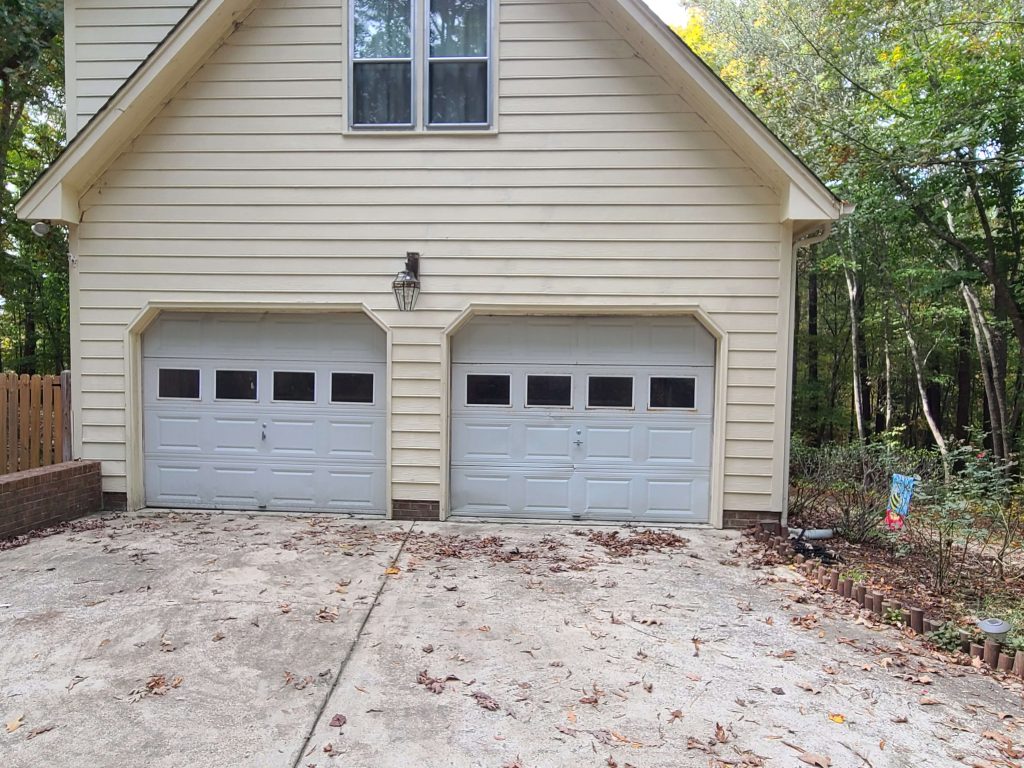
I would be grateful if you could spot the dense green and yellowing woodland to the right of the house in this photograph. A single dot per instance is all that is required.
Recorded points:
(914, 110)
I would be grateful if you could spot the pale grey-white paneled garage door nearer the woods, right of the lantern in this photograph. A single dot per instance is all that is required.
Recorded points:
(583, 418)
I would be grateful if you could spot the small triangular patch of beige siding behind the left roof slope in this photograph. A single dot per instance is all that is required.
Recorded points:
(107, 40)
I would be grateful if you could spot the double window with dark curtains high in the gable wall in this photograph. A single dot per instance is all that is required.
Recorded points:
(443, 45)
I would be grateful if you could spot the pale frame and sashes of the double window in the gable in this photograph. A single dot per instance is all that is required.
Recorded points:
(420, 78)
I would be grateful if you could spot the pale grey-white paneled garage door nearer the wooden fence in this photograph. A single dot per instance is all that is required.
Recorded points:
(265, 412)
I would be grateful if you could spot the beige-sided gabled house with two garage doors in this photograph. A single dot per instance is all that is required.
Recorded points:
(601, 245)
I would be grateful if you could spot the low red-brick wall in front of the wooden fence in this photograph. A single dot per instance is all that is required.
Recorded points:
(41, 498)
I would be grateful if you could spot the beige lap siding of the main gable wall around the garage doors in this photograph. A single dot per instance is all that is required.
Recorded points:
(601, 187)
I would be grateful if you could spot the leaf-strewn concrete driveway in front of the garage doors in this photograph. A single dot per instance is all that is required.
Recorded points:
(226, 641)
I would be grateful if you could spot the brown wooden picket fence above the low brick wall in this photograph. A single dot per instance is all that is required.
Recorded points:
(35, 421)
